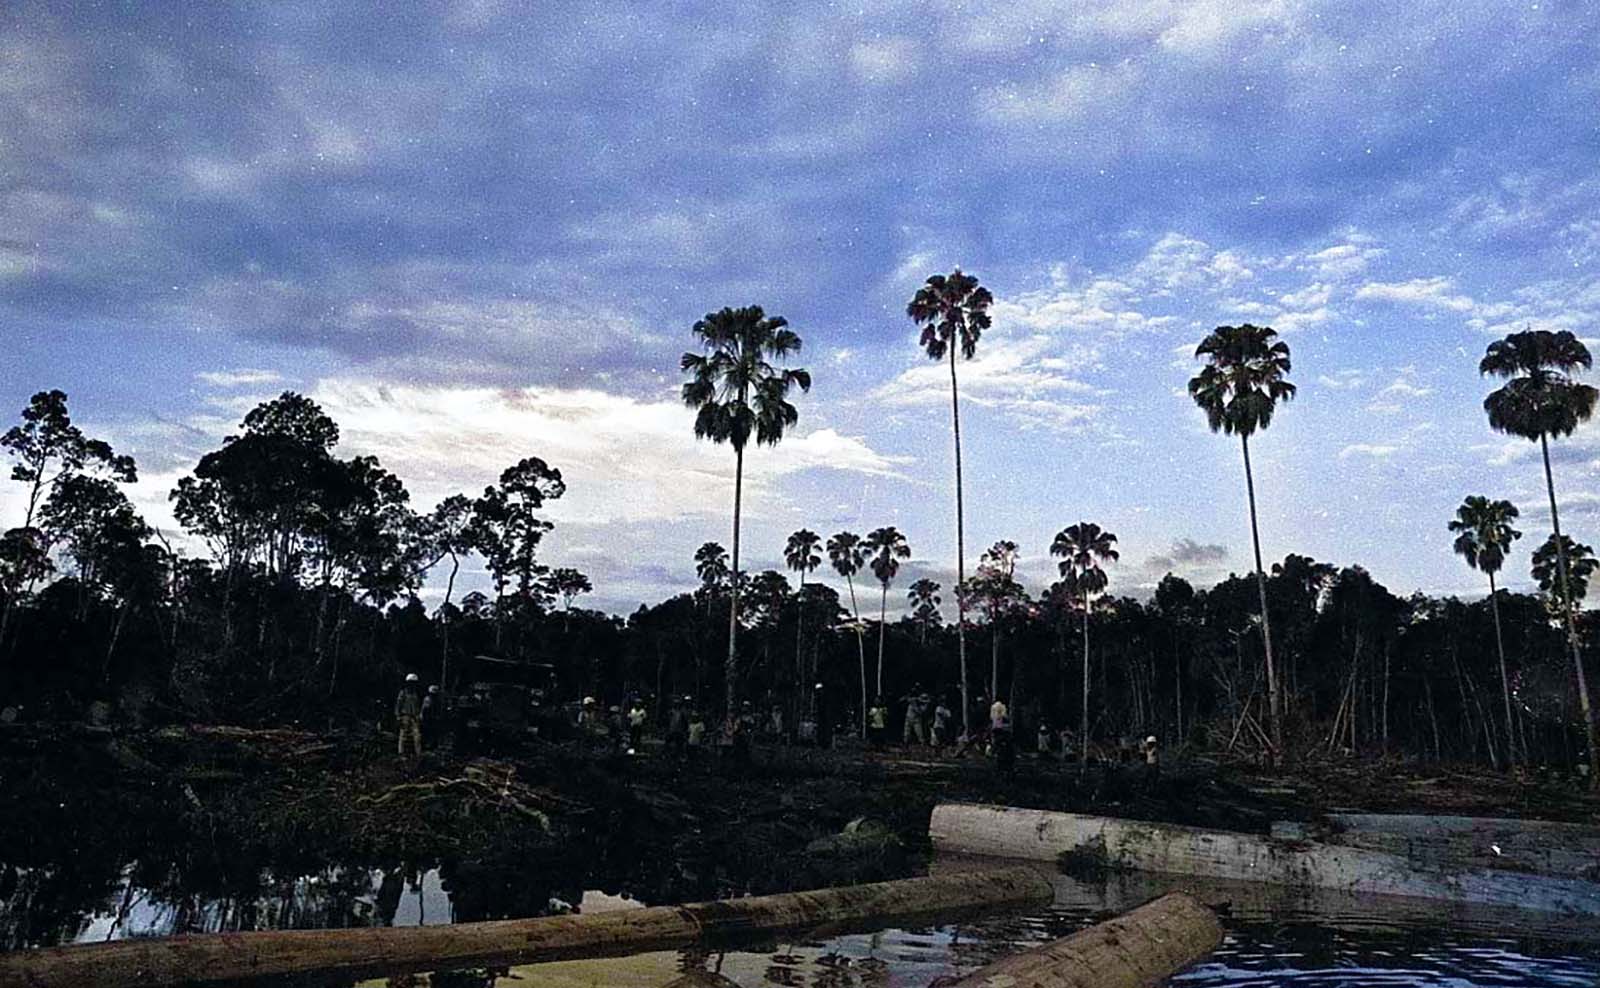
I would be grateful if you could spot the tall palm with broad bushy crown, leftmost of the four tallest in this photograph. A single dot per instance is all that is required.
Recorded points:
(737, 391)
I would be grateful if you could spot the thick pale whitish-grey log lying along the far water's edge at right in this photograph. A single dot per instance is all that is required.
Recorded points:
(1126, 845)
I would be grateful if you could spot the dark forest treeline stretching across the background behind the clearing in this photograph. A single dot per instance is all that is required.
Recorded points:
(306, 608)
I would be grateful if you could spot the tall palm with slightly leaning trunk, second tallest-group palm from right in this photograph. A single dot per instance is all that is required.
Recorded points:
(1239, 389)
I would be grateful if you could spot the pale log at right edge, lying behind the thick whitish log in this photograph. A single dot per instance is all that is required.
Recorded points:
(1535, 847)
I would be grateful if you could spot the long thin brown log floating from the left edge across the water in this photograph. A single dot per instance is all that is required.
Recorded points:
(209, 958)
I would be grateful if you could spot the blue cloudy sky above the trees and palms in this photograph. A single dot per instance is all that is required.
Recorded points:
(482, 231)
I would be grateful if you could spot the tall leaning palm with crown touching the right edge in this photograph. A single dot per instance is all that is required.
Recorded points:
(1542, 400)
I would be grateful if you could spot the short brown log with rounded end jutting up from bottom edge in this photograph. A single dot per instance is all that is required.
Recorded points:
(1135, 950)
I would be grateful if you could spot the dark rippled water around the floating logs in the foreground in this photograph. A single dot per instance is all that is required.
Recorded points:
(1273, 938)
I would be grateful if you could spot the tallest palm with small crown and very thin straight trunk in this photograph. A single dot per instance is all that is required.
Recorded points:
(954, 313)
